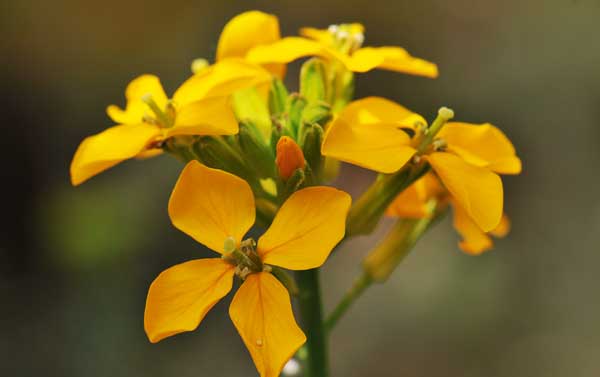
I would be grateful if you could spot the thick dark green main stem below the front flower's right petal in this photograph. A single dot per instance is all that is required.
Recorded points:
(311, 313)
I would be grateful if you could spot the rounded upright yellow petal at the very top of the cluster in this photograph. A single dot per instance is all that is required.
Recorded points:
(247, 30)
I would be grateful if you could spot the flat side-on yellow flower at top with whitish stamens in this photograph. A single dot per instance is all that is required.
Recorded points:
(341, 43)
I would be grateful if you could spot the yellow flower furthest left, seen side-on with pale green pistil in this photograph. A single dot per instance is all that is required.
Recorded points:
(201, 106)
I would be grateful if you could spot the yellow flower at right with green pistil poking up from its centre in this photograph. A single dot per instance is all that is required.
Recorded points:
(467, 158)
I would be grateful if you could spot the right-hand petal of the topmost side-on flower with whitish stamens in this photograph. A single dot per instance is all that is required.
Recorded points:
(390, 58)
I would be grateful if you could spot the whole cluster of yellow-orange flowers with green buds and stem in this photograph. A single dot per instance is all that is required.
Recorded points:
(256, 153)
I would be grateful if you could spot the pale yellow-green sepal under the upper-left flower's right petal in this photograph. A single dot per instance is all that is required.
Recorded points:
(249, 106)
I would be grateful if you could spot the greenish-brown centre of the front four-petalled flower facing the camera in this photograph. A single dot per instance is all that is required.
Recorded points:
(244, 257)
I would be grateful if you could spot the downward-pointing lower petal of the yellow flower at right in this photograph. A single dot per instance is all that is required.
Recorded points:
(476, 189)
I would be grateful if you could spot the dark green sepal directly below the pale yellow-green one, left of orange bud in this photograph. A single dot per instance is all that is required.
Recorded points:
(257, 153)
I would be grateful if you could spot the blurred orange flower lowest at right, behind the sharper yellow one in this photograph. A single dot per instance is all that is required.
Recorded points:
(413, 202)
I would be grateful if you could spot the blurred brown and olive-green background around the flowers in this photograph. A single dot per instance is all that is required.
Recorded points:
(75, 263)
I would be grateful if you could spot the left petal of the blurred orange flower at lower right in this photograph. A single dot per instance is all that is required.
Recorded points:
(412, 202)
